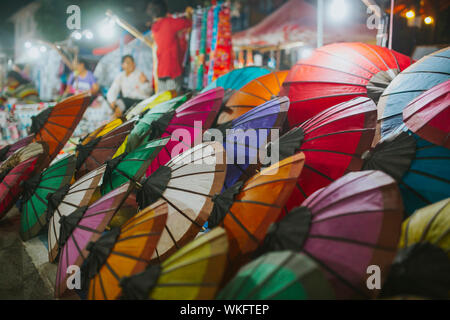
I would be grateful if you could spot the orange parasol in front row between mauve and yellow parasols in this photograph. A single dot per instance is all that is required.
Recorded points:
(123, 252)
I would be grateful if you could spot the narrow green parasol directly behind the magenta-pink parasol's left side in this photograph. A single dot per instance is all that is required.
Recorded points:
(147, 127)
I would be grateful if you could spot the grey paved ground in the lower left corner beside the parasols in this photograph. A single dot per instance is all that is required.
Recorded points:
(25, 272)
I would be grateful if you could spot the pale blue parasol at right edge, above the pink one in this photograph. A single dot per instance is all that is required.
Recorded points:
(426, 73)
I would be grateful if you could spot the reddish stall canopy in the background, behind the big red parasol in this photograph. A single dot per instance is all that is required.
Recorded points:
(295, 21)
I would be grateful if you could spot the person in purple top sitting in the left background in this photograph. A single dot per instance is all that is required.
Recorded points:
(80, 80)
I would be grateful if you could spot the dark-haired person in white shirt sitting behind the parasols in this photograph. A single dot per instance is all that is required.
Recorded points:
(128, 88)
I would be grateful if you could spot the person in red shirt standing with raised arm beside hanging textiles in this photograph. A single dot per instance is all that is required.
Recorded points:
(169, 35)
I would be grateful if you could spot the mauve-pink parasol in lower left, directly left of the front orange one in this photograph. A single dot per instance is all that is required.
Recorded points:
(83, 226)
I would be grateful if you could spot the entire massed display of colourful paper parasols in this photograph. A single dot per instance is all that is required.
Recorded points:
(327, 181)
